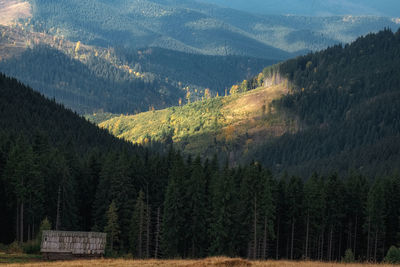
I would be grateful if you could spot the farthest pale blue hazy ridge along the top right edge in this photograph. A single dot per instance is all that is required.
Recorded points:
(389, 8)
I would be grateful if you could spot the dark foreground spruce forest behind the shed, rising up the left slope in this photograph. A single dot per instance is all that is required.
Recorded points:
(55, 164)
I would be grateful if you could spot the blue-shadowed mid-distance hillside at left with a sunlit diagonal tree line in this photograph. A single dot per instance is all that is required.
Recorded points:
(119, 80)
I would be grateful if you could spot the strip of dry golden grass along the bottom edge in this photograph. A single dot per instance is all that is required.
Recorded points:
(217, 262)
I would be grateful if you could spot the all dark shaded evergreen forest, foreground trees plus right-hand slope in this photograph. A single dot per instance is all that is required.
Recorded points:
(154, 202)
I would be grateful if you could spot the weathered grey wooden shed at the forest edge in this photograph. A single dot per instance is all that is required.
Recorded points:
(70, 245)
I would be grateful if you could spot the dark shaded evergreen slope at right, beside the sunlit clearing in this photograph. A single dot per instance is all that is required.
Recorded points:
(346, 99)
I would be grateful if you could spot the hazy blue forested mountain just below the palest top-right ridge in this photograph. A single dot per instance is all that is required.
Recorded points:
(191, 26)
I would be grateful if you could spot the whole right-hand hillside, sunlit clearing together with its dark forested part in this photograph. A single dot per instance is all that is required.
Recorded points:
(338, 113)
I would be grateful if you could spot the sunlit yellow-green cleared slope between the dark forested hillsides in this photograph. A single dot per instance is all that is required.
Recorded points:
(221, 124)
